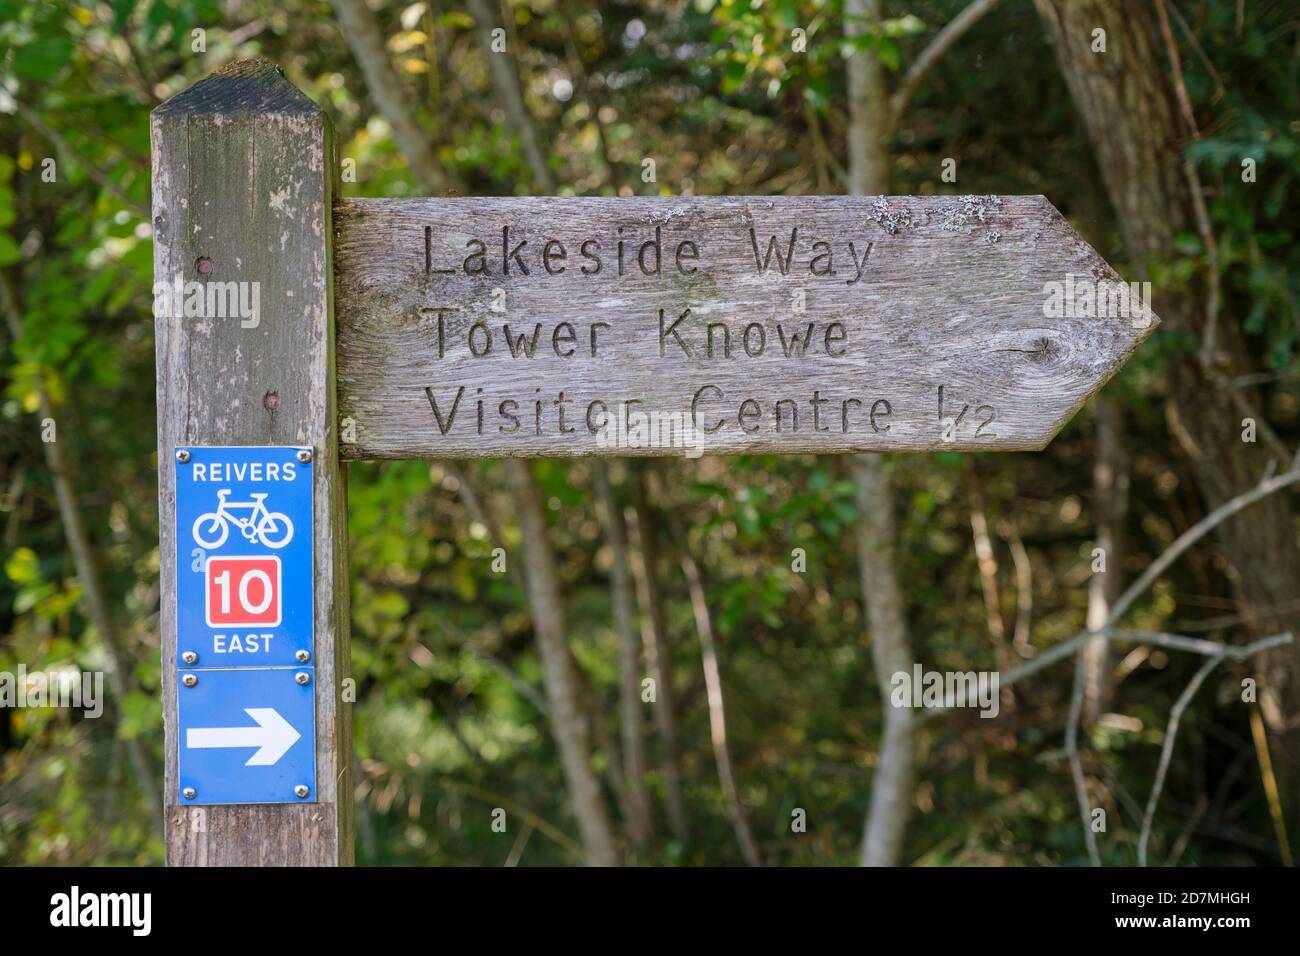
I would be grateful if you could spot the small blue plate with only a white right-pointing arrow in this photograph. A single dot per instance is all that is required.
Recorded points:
(248, 736)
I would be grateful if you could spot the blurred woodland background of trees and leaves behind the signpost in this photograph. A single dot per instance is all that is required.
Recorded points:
(1173, 152)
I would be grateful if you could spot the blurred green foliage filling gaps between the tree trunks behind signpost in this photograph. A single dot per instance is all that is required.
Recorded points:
(448, 713)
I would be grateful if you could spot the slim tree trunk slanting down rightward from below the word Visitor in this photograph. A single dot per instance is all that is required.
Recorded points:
(569, 725)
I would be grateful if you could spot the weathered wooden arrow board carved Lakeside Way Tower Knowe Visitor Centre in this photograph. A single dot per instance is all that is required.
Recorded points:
(652, 326)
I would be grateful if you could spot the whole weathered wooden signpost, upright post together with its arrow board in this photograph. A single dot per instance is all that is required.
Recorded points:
(462, 328)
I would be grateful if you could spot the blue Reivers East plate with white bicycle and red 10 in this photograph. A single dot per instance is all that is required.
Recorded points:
(244, 539)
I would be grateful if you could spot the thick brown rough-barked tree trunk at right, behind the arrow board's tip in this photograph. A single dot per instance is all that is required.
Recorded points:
(1129, 109)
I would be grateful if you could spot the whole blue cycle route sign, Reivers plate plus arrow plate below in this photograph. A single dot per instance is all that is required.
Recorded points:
(245, 625)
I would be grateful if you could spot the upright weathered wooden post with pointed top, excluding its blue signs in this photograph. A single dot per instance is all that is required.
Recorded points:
(244, 181)
